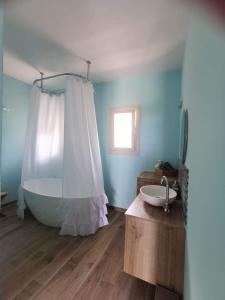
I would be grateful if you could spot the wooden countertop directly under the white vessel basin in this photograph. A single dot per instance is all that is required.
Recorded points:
(143, 210)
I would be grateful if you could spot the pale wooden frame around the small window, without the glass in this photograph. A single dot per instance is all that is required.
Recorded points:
(135, 110)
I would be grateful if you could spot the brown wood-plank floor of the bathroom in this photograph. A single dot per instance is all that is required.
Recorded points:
(37, 263)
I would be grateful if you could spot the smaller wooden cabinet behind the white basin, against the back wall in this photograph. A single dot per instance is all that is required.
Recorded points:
(147, 178)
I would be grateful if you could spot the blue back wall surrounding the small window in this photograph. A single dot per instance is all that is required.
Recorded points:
(158, 96)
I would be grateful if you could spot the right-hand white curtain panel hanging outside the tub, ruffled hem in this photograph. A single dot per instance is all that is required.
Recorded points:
(83, 208)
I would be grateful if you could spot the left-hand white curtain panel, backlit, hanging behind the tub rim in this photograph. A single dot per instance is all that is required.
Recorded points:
(43, 154)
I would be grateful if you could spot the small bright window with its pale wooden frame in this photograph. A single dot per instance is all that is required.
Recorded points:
(124, 130)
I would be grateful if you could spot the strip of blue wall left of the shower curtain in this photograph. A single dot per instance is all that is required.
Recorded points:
(16, 96)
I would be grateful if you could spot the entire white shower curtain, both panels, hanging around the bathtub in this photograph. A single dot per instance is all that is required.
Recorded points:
(62, 142)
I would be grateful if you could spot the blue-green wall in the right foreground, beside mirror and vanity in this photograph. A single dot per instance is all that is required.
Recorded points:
(204, 96)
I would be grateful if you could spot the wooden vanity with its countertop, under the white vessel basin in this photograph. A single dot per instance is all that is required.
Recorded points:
(154, 244)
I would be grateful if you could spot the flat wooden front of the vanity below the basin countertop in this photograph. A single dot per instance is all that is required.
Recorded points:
(154, 252)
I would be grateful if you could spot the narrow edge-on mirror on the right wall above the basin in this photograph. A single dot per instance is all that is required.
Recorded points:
(184, 136)
